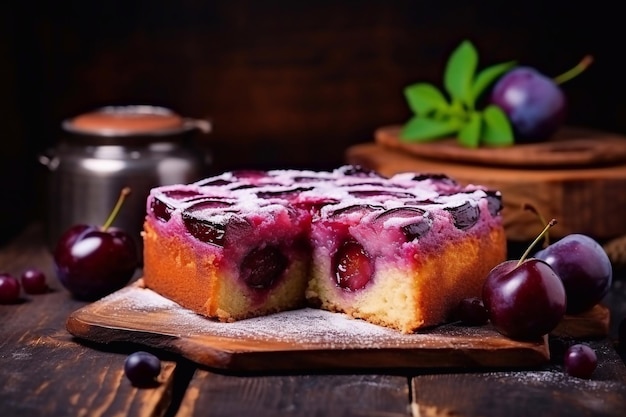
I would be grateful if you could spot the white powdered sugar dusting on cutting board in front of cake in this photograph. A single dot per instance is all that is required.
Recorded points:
(328, 330)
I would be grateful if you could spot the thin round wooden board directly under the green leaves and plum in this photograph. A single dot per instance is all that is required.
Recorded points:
(571, 147)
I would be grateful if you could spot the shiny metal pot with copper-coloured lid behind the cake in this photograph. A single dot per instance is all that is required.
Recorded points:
(103, 151)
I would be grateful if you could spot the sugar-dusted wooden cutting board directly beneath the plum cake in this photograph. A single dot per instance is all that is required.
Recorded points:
(304, 339)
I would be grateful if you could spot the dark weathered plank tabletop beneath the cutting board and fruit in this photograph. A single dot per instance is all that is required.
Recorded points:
(44, 371)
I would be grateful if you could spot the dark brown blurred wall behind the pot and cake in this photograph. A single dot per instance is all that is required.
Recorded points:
(286, 83)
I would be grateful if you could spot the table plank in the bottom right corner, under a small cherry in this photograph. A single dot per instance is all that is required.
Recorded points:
(547, 392)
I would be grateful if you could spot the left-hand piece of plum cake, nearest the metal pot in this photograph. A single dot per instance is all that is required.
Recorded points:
(225, 255)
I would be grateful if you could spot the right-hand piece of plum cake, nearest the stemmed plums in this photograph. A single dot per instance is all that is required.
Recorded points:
(405, 256)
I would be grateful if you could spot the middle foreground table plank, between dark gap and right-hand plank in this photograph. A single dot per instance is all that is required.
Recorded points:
(291, 395)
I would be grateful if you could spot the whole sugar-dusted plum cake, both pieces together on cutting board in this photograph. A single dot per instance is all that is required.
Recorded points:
(399, 251)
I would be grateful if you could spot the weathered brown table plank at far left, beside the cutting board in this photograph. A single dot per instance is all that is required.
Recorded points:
(46, 372)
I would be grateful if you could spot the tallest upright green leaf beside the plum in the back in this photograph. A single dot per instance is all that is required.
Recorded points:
(459, 72)
